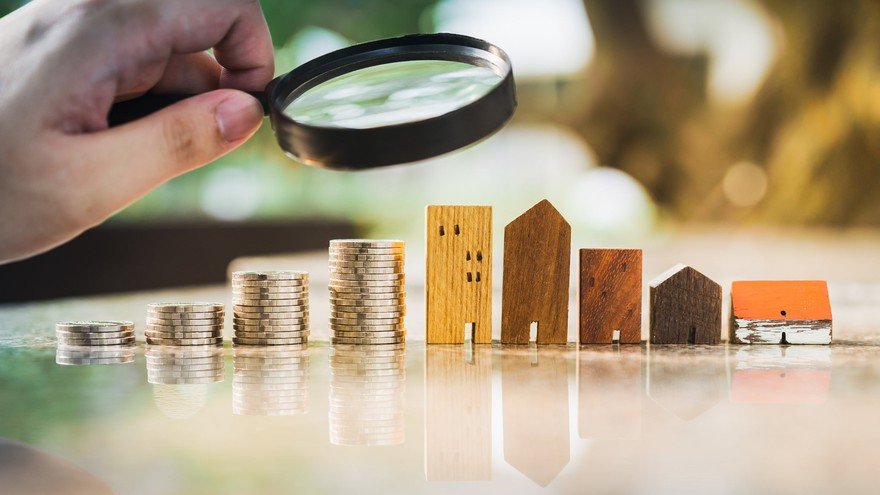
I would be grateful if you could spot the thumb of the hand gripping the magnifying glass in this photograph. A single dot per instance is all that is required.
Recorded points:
(168, 143)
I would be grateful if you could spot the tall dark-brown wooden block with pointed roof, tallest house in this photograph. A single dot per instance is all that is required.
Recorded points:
(537, 258)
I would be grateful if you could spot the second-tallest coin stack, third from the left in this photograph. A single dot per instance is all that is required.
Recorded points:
(271, 308)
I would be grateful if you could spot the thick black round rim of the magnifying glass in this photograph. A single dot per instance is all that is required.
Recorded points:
(357, 149)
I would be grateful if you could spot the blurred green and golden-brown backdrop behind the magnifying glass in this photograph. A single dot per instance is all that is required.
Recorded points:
(633, 115)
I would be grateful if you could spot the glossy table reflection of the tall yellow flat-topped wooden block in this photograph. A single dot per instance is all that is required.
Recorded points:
(458, 413)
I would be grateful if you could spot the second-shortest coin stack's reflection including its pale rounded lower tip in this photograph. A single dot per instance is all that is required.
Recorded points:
(181, 376)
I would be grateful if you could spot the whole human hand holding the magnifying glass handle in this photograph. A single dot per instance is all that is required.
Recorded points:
(64, 63)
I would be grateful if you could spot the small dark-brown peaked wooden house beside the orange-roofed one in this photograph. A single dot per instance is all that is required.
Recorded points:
(685, 308)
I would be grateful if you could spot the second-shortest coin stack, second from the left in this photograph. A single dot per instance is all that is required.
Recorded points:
(185, 323)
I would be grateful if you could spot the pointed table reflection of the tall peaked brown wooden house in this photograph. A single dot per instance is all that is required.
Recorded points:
(535, 410)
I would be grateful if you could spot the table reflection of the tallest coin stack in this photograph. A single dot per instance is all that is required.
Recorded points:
(367, 385)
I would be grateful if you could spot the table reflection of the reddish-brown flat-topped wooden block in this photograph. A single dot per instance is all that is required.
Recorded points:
(610, 391)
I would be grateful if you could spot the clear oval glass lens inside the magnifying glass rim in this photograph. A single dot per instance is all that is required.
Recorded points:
(392, 93)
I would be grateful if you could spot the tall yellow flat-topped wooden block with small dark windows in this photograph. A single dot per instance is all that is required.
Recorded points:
(458, 282)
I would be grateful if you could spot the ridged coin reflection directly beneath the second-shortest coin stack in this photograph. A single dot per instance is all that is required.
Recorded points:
(169, 365)
